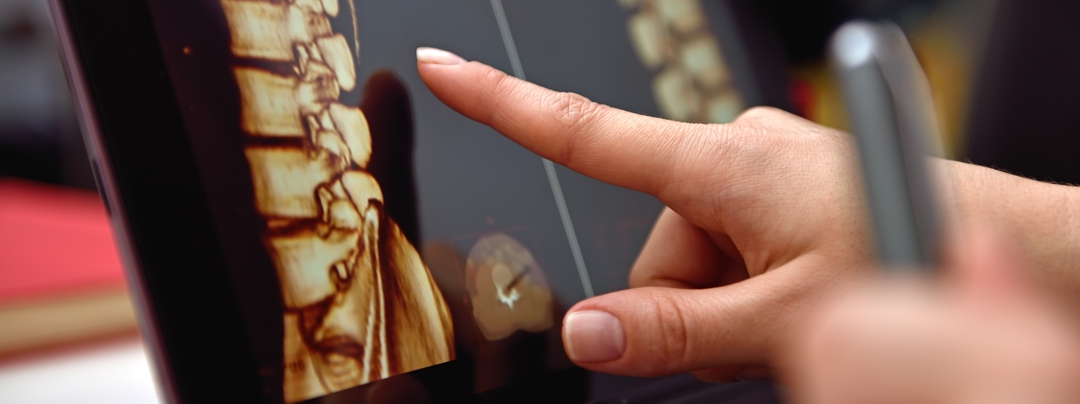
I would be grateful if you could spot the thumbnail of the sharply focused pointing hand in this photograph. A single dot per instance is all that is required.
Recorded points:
(593, 336)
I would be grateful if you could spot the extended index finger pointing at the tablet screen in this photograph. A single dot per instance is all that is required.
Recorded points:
(607, 144)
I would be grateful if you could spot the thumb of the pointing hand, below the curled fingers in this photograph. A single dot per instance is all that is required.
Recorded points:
(651, 332)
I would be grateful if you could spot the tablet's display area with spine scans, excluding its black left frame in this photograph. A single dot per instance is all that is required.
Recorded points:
(371, 233)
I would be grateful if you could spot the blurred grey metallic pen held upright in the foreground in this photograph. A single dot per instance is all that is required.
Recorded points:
(890, 109)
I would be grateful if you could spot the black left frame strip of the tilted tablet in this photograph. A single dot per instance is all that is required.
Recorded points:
(148, 179)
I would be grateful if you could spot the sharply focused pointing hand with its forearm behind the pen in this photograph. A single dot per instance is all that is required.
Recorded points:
(765, 220)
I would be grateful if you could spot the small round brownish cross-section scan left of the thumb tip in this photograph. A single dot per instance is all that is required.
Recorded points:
(508, 289)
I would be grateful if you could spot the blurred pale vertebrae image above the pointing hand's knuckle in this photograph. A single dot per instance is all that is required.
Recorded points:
(693, 83)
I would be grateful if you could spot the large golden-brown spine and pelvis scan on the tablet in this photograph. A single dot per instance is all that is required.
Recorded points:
(360, 305)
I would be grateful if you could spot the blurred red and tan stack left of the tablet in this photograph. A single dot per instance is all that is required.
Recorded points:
(61, 277)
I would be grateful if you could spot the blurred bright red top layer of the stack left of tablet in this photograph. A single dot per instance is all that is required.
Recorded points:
(55, 241)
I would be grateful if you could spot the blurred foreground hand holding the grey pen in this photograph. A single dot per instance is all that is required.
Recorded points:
(984, 335)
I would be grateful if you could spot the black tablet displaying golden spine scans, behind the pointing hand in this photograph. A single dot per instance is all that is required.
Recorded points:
(303, 221)
